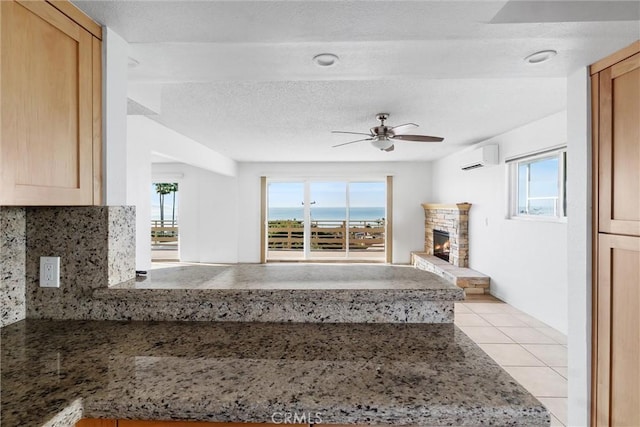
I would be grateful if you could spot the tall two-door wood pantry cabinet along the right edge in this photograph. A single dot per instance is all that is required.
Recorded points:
(615, 90)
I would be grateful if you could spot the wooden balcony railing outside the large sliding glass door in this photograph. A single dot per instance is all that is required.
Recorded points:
(333, 235)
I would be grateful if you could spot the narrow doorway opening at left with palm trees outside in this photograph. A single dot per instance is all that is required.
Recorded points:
(165, 233)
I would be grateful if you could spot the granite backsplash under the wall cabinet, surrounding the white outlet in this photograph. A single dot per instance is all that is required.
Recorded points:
(96, 246)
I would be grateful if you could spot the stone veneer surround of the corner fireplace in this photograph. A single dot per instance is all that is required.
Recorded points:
(453, 219)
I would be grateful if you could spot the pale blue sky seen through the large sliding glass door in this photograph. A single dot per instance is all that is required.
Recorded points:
(327, 194)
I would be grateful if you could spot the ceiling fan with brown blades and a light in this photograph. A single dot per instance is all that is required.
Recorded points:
(383, 137)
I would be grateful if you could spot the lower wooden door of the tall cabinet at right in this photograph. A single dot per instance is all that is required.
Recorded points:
(618, 331)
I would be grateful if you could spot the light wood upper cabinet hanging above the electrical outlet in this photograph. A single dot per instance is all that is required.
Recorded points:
(50, 105)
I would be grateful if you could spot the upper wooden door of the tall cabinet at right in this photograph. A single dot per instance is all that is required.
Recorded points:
(619, 148)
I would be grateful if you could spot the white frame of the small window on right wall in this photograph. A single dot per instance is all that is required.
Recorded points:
(514, 164)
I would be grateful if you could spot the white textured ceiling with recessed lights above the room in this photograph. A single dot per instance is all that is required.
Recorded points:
(238, 76)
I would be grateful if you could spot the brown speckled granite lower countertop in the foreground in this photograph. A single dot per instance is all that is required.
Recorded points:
(55, 372)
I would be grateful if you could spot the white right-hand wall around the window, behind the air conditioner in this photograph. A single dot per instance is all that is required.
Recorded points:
(527, 260)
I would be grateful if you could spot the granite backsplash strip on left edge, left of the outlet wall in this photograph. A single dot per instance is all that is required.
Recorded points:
(12, 264)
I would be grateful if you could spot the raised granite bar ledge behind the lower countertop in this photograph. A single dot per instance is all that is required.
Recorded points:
(350, 293)
